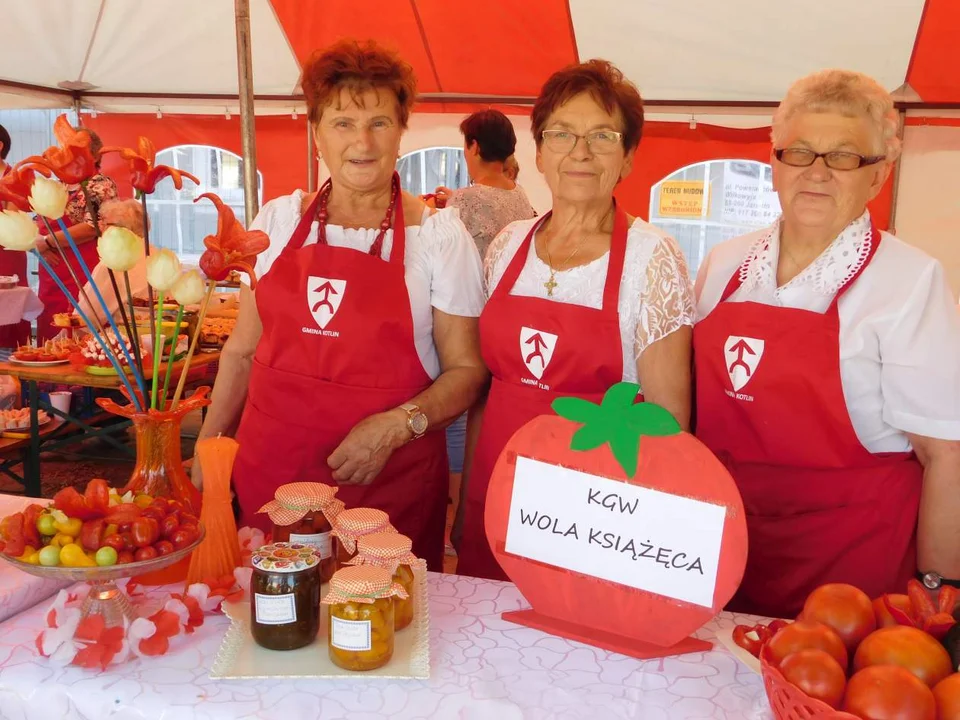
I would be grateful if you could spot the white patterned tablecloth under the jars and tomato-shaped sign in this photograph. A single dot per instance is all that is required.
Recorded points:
(482, 669)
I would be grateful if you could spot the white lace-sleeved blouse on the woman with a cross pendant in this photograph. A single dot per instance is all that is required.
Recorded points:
(656, 295)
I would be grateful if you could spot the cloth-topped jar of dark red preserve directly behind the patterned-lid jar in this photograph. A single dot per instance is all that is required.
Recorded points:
(303, 513)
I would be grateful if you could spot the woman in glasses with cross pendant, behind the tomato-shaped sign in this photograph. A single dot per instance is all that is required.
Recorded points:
(582, 298)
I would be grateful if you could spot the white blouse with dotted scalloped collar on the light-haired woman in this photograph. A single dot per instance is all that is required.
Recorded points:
(899, 327)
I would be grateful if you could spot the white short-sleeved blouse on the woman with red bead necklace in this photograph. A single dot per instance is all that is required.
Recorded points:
(441, 264)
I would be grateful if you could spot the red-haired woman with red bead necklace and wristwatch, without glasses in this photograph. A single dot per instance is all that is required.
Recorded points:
(360, 343)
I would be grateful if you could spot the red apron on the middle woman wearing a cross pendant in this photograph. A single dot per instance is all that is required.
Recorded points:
(537, 350)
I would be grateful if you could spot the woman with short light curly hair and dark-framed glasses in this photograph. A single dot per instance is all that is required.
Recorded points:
(828, 367)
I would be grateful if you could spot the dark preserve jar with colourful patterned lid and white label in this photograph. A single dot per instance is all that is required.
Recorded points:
(285, 596)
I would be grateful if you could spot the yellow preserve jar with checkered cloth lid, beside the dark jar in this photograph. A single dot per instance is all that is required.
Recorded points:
(361, 626)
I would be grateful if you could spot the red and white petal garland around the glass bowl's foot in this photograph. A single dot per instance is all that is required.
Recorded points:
(70, 639)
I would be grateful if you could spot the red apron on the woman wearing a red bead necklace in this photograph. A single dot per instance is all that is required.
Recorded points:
(337, 347)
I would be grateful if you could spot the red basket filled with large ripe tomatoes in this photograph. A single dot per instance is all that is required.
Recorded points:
(845, 656)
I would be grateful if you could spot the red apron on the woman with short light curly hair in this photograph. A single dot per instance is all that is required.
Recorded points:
(820, 507)
